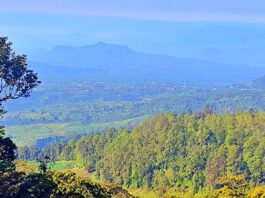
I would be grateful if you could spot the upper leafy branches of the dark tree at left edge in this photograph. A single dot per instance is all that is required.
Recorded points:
(16, 80)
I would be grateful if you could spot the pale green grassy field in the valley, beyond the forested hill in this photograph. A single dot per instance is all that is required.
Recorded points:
(24, 135)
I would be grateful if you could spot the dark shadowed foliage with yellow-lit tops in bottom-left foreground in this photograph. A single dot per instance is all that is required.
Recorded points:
(54, 185)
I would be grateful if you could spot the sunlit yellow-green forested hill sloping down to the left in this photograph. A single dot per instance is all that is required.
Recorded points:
(187, 152)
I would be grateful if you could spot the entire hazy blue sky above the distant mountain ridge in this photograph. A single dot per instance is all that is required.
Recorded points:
(222, 30)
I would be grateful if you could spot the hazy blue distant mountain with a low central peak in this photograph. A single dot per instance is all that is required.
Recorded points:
(118, 63)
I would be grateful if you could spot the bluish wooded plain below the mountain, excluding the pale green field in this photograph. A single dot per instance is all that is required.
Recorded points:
(89, 103)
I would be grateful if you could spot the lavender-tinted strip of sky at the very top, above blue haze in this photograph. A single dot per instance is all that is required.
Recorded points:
(239, 10)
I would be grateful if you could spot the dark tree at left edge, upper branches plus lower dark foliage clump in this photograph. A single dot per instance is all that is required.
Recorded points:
(16, 81)
